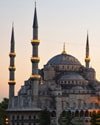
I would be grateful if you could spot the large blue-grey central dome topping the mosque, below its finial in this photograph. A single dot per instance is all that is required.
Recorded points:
(63, 59)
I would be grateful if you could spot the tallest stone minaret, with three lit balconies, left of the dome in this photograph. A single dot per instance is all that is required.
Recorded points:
(35, 77)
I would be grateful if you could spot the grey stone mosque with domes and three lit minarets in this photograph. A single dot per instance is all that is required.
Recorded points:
(63, 84)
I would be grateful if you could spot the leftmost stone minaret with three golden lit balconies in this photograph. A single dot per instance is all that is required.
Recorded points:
(12, 66)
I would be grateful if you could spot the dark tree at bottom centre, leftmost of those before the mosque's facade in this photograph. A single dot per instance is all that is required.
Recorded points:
(45, 117)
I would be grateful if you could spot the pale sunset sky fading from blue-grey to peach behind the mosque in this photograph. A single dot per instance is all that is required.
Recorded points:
(59, 21)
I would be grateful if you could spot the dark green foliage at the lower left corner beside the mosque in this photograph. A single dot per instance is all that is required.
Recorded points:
(3, 107)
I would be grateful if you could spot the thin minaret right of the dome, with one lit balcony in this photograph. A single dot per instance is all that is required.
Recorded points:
(87, 58)
